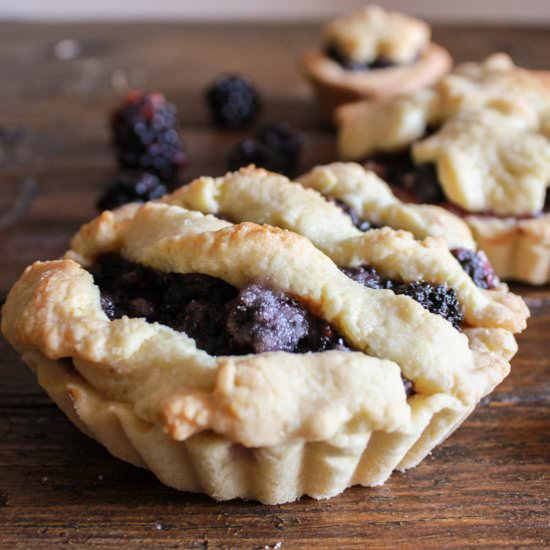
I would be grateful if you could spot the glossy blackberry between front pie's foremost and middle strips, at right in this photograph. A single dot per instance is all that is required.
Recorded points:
(438, 299)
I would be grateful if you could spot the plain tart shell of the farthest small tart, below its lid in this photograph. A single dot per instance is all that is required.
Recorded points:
(335, 85)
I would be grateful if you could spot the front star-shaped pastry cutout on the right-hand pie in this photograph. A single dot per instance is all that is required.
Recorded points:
(489, 162)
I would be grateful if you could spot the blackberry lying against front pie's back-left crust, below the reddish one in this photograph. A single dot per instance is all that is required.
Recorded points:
(130, 187)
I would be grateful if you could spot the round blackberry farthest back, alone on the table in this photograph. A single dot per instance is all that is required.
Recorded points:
(233, 101)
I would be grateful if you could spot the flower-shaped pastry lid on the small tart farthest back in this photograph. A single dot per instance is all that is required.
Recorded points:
(372, 32)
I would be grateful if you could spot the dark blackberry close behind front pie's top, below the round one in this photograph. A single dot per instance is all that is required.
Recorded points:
(275, 147)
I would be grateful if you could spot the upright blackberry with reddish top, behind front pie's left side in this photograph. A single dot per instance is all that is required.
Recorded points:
(145, 135)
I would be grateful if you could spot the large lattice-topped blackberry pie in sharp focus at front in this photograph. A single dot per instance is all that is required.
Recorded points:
(241, 359)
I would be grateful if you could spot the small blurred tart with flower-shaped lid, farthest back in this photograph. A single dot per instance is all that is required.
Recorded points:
(373, 53)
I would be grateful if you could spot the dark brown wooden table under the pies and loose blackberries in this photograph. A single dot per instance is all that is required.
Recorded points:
(488, 486)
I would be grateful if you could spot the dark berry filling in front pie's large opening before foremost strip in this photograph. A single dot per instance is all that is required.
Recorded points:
(222, 320)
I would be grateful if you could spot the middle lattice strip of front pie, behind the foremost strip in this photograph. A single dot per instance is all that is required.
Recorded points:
(264, 197)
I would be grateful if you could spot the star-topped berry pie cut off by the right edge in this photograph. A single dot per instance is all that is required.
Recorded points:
(478, 144)
